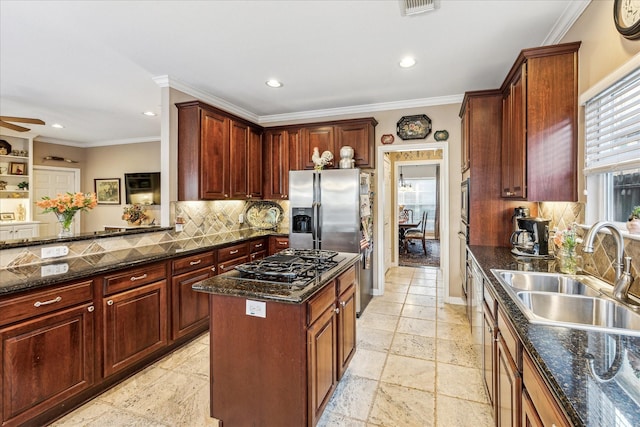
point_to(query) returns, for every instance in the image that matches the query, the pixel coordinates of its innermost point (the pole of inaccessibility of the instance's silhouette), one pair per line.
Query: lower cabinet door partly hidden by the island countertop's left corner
(190, 309)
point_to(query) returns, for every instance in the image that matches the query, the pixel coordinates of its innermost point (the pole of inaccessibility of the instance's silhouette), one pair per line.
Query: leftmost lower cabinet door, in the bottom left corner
(45, 360)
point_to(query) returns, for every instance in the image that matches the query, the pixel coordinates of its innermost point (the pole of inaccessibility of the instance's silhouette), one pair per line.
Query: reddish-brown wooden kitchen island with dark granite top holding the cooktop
(278, 352)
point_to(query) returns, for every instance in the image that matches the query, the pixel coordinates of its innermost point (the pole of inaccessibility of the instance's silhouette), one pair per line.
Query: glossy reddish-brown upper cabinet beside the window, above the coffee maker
(540, 125)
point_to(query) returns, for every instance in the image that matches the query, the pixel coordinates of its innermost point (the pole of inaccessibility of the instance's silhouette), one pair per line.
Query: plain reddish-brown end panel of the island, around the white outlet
(258, 364)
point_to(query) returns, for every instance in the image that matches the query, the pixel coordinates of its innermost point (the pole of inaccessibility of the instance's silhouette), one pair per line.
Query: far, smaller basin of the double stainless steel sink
(546, 282)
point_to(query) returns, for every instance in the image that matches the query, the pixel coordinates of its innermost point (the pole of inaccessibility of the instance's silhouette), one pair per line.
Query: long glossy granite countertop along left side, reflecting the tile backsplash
(33, 276)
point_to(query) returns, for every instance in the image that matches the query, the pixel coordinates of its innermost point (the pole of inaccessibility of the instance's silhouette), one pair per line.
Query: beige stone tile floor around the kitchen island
(415, 366)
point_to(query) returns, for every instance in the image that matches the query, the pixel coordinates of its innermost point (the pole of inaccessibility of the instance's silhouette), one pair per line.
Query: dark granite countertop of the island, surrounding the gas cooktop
(230, 284)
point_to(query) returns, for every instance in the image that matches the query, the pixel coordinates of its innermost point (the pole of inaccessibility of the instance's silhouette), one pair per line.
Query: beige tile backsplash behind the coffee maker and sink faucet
(600, 262)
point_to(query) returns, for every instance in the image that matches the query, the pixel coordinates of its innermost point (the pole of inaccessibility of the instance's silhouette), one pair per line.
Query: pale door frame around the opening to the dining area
(387, 225)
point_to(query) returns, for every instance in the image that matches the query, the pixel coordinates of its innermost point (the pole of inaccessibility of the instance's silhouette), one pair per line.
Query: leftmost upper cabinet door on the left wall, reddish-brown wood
(214, 158)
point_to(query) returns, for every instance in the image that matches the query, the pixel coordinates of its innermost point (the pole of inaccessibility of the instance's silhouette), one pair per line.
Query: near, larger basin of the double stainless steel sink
(582, 312)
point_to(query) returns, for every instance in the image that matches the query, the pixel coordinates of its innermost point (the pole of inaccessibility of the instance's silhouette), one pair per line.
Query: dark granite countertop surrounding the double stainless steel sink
(594, 375)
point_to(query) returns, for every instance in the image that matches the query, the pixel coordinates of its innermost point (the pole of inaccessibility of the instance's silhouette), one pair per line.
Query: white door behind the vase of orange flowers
(51, 181)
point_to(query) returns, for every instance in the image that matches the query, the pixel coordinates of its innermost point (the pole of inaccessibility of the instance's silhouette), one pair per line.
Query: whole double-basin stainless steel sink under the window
(574, 301)
